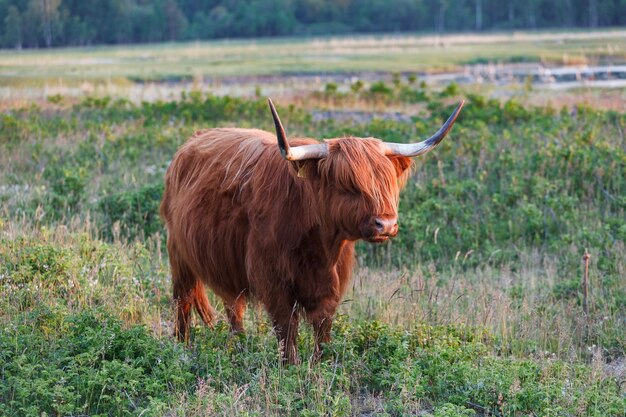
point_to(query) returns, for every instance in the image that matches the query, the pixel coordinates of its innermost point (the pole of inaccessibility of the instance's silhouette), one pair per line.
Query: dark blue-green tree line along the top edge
(49, 23)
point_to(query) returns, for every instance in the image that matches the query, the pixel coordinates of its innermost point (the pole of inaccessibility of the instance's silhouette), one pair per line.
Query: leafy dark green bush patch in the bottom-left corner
(86, 363)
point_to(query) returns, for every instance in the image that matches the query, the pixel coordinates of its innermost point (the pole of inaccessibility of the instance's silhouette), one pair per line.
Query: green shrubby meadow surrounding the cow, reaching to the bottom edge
(477, 308)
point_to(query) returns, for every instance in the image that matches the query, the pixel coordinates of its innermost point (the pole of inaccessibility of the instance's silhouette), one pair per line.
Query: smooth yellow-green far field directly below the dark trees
(391, 53)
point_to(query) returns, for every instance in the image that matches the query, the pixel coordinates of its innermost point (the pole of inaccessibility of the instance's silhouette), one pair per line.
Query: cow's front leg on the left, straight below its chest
(285, 319)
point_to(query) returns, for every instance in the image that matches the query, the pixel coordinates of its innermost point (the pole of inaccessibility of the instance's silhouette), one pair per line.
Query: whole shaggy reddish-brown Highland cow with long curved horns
(250, 219)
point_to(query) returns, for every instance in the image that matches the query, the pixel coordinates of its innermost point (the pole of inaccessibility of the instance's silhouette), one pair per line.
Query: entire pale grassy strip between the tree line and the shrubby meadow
(291, 68)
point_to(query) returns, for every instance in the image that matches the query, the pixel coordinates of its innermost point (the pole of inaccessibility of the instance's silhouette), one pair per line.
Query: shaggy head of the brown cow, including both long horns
(358, 179)
